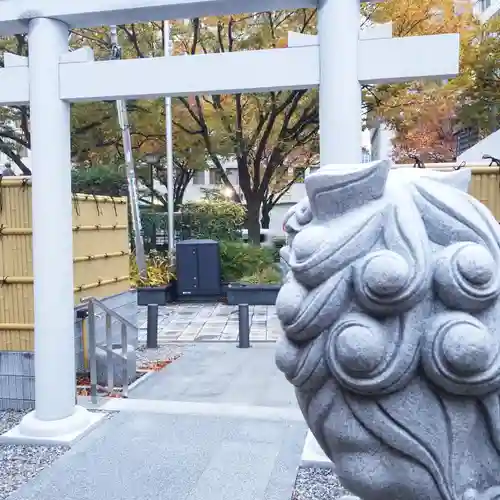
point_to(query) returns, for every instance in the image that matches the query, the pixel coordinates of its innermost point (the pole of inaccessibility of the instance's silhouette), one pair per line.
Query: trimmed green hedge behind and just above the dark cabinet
(212, 219)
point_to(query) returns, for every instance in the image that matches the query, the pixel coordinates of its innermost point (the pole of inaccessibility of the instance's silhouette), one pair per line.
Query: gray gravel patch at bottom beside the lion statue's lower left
(317, 484)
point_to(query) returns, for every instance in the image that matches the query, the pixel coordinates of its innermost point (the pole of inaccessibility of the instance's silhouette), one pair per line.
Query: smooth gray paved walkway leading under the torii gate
(220, 423)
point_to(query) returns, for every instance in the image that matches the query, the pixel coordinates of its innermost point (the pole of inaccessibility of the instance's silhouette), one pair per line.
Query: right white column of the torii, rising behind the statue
(339, 89)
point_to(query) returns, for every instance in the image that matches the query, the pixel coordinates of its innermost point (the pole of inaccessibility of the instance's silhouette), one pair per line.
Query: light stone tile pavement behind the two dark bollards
(210, 322)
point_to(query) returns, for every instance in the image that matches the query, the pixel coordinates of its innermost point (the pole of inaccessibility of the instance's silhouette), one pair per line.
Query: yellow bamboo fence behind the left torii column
(100, 249)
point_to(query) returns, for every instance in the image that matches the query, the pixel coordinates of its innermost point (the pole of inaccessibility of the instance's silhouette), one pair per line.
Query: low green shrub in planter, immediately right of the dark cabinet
(239, 259)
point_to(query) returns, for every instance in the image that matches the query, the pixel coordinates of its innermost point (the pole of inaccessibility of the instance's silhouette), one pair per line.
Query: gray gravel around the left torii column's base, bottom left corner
(18, 464)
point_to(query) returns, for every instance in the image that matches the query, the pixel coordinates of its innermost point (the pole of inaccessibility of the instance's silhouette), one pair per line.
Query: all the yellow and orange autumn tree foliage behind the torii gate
(273, 136)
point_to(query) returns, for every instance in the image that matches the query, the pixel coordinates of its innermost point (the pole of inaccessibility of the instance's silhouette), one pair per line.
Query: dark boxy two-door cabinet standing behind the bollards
(198, 269)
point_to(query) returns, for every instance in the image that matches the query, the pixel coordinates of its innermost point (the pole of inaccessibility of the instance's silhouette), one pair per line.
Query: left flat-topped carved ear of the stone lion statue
(338, 189)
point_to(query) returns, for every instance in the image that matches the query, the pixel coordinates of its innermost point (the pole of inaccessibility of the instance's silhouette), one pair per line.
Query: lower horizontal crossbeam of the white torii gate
(385, 60)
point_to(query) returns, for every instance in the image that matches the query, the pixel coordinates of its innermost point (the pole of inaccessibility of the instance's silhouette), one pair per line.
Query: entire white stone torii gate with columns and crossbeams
(53, 77)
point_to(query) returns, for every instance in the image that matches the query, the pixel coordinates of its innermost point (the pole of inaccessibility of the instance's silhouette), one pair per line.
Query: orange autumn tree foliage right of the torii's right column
(423, 115)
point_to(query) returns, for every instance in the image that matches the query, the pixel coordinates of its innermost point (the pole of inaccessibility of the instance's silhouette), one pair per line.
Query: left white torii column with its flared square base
(56, 418)
